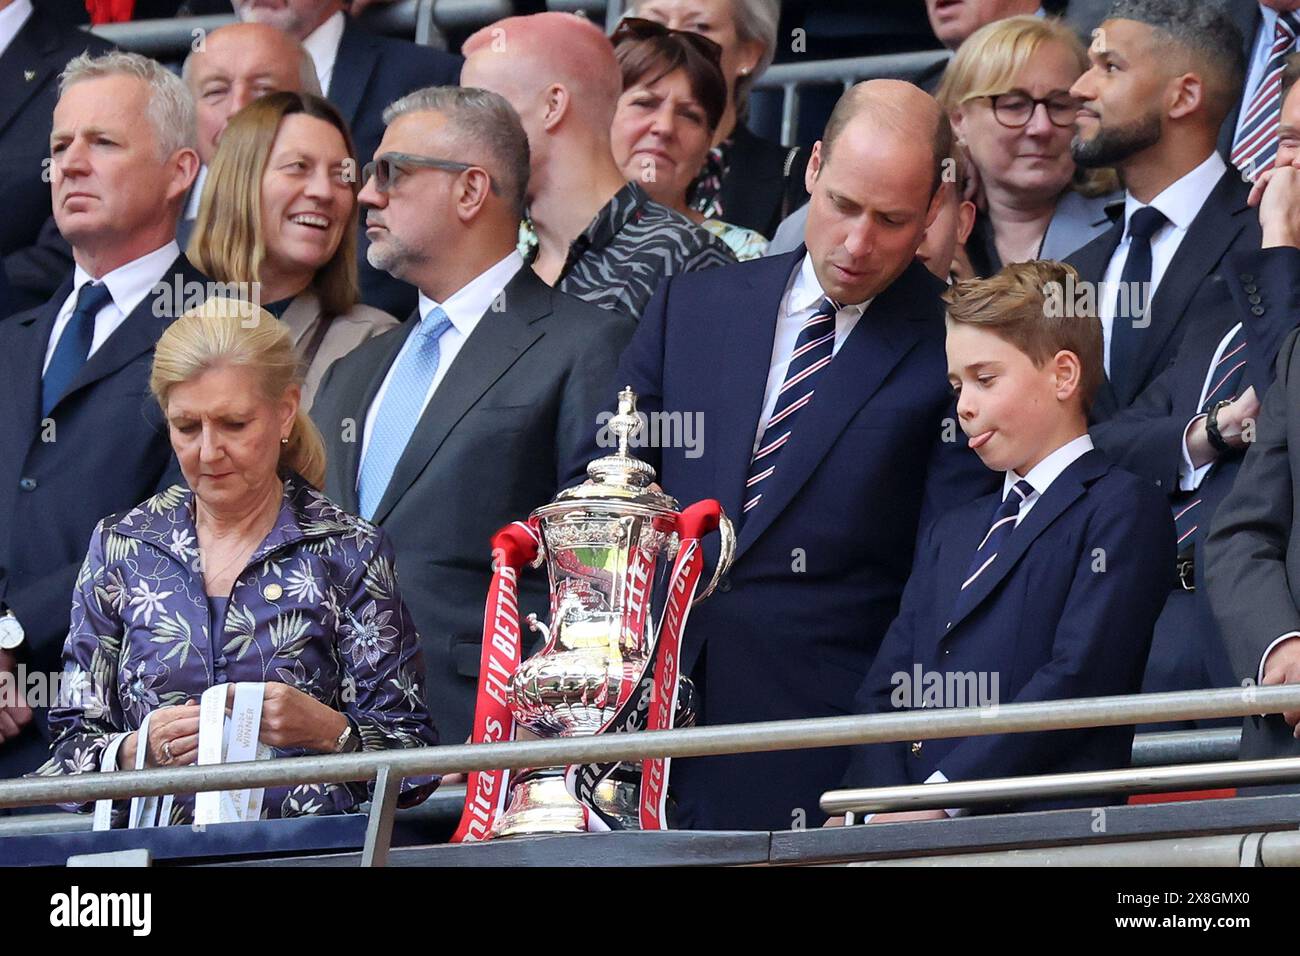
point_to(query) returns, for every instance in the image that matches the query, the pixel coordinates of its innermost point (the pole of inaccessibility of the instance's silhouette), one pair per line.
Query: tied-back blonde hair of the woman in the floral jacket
(232, 332)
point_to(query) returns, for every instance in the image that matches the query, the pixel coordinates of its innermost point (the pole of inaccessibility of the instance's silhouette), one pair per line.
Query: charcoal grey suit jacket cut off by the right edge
(1254, 551)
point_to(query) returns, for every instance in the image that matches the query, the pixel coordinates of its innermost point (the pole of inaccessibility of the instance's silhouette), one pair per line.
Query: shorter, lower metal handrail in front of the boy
(1003, 790)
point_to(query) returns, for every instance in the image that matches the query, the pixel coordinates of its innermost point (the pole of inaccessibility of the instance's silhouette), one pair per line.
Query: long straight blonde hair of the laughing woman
(228, 244)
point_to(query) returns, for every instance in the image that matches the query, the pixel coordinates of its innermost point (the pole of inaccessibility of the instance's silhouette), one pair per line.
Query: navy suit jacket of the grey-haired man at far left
(106, 451)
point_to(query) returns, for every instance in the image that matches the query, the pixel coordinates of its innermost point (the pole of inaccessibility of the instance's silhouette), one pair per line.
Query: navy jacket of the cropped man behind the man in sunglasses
(370, 73)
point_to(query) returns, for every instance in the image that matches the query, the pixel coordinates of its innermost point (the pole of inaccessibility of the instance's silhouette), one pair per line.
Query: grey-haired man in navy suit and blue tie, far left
(80, 435)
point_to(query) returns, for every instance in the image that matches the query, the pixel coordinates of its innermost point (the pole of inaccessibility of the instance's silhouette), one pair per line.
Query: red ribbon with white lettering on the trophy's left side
(514, 547)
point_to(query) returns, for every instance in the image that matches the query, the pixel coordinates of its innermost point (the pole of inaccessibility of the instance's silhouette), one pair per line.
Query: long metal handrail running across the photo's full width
(696, 742)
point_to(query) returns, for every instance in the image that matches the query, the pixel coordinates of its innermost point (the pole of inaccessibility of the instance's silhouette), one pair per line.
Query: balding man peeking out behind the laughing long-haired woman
(236, 66)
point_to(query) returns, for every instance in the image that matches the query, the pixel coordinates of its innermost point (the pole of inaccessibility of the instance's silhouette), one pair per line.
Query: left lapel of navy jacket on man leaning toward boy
(748, 347)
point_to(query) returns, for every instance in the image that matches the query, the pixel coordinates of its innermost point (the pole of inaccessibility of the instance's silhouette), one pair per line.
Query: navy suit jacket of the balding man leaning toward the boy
(822, 563)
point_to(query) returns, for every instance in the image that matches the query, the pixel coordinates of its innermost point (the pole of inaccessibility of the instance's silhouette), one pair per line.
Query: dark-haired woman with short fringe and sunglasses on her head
(674, 98)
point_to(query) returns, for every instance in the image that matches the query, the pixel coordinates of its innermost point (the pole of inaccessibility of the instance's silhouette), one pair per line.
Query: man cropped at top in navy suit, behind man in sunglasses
(361, 73)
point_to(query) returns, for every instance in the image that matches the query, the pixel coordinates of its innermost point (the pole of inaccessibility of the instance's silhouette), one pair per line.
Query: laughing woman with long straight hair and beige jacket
(280, 209)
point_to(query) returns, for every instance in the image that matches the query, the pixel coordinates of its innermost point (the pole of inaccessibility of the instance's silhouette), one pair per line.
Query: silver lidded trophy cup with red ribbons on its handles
(609, 664)
